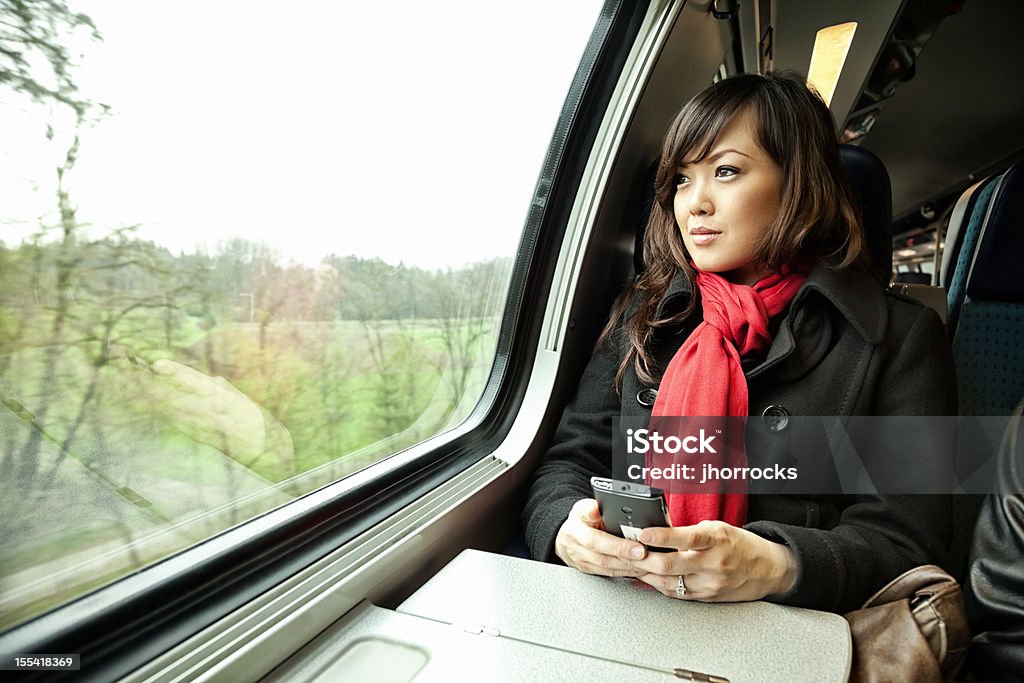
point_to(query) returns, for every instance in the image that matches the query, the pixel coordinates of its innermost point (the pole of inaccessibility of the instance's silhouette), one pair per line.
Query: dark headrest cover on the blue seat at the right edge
(996, 275)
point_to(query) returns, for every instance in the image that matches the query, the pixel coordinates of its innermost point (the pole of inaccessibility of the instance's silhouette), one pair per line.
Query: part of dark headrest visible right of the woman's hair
(870, 182)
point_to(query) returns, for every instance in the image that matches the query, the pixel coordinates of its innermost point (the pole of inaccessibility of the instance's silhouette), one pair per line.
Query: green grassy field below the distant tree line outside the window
(99, 452)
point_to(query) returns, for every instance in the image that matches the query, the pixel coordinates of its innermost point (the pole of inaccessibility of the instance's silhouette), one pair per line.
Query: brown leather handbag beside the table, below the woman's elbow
(915, 629)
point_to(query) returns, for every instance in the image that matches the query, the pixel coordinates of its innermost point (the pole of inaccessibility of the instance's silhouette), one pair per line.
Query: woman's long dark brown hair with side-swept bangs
(818, 219)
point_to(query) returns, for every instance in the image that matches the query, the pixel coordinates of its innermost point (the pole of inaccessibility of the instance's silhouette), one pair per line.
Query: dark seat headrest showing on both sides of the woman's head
(870, 182)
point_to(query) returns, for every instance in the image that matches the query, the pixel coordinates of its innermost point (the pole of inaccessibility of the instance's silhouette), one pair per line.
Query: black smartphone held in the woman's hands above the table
(628, 508)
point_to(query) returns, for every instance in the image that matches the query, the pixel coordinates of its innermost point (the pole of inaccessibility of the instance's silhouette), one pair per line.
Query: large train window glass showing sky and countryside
(247, 252)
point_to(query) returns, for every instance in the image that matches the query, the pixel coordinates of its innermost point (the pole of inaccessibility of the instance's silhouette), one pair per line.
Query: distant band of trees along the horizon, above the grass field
(243, 281)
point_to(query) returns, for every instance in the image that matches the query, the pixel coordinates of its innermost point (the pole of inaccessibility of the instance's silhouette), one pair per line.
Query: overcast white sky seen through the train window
(412, 132)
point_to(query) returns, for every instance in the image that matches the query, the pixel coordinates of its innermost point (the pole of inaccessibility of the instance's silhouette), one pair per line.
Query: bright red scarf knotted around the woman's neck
(706, 378)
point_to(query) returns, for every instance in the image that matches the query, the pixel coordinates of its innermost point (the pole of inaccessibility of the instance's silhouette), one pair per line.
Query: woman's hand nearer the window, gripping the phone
(583, 543)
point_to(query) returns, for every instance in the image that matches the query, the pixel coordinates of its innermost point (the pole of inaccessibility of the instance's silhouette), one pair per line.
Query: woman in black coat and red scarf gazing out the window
(756, 301)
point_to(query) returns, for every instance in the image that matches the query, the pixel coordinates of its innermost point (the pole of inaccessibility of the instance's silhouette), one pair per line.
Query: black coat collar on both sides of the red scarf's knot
(855, 294)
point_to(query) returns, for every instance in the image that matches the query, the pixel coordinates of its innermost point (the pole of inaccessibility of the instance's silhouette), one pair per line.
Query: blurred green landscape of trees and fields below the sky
(349, 363)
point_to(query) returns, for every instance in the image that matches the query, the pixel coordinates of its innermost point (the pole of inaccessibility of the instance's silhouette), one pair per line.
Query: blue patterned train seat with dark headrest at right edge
(989, 345)
